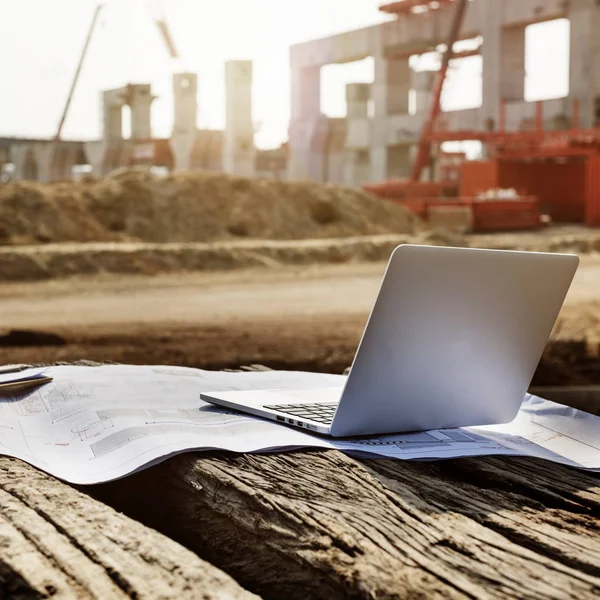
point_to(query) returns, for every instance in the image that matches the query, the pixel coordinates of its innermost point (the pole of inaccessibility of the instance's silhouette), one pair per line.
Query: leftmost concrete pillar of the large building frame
(305, 113)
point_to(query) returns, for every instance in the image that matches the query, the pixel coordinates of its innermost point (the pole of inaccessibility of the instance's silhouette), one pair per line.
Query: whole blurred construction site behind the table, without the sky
(201, 249)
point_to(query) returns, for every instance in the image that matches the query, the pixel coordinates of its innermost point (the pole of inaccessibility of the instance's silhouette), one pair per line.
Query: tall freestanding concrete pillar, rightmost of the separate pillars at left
(238, 148)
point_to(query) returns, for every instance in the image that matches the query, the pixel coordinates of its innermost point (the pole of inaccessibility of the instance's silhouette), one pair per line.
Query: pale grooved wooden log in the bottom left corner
(57, 541)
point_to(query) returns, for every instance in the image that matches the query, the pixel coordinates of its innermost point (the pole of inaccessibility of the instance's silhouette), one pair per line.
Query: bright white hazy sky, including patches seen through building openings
(41, 40)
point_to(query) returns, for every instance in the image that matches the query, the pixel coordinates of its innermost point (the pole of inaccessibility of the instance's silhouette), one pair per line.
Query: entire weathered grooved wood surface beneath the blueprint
(308, 524)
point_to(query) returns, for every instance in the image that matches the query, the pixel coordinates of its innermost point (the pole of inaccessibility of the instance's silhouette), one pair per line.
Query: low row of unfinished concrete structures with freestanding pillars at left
(188, 147)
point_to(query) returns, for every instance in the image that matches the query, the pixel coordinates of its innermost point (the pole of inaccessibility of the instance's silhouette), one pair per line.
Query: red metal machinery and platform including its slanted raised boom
(553, 172)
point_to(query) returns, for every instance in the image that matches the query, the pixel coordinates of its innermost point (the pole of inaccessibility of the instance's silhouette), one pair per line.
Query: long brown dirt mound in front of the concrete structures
(191, 207)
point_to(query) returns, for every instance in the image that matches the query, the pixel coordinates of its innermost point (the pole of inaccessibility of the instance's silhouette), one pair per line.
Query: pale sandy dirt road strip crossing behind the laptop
(208, 299)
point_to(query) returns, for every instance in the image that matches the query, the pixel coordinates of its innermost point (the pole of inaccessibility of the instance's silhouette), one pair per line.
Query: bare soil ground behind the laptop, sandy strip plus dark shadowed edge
(296, 318)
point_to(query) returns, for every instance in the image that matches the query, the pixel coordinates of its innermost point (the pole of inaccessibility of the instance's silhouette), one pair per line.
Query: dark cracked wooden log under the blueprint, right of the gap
(316, 524)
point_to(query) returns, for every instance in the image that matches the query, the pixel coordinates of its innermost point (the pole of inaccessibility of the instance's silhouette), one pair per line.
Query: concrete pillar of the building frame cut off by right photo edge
(584, 68)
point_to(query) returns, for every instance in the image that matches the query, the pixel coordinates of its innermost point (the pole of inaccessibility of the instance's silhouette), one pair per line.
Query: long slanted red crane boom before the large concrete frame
(424, 148)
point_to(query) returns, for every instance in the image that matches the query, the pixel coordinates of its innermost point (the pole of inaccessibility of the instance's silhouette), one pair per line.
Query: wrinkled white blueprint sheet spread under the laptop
(95, 424)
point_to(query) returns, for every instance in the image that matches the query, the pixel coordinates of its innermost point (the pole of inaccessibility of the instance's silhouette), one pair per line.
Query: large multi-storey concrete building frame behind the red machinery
(381, 125)
